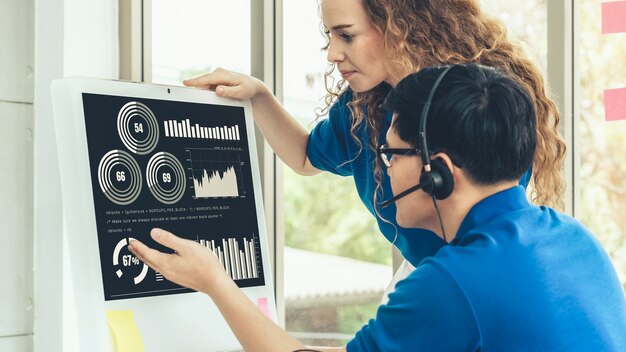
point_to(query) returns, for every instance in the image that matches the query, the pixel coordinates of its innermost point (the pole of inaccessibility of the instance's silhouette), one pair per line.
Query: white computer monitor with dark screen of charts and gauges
(137, 156)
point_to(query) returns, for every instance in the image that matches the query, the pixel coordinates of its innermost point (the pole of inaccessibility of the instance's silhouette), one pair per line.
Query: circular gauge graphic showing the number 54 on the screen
(138, 128)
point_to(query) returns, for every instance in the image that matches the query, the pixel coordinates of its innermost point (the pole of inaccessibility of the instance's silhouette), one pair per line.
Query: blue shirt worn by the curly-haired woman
(332, 148)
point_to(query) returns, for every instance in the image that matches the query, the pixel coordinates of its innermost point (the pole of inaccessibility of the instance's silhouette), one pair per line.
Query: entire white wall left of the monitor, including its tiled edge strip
(40, 40)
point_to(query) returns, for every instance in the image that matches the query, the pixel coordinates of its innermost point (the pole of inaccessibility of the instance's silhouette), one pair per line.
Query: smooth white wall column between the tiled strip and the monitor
(72, 38)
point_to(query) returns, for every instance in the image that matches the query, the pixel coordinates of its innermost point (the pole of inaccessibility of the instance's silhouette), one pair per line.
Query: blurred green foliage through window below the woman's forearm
(324, 214)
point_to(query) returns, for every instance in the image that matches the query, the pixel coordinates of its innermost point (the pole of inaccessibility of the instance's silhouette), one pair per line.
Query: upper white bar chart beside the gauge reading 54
(185, 129)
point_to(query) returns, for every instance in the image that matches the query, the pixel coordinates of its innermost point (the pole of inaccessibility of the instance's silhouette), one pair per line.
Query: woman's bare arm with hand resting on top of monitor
(284, 134)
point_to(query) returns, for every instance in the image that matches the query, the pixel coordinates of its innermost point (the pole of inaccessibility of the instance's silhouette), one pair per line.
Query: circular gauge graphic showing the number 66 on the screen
(119, 177)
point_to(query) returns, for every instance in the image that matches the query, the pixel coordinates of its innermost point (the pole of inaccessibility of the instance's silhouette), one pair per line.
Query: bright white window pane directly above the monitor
(193, 37)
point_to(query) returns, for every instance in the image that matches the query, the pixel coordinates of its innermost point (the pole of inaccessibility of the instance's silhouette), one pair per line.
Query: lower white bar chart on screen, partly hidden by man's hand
(238, 259)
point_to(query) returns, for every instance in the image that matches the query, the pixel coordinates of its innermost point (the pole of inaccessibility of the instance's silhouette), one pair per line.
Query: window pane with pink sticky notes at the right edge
(601, 178)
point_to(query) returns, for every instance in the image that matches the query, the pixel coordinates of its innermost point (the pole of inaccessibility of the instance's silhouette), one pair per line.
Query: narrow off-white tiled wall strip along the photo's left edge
(16, 174)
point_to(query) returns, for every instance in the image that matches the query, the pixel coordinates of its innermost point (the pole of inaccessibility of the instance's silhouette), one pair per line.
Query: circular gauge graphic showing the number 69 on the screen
(166, 178)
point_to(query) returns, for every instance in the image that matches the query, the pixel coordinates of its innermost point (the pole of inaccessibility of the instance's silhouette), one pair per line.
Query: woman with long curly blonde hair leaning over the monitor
(374, 44)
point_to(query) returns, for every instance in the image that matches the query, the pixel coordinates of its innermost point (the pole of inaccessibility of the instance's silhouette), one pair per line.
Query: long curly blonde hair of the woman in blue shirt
(422, 33)
